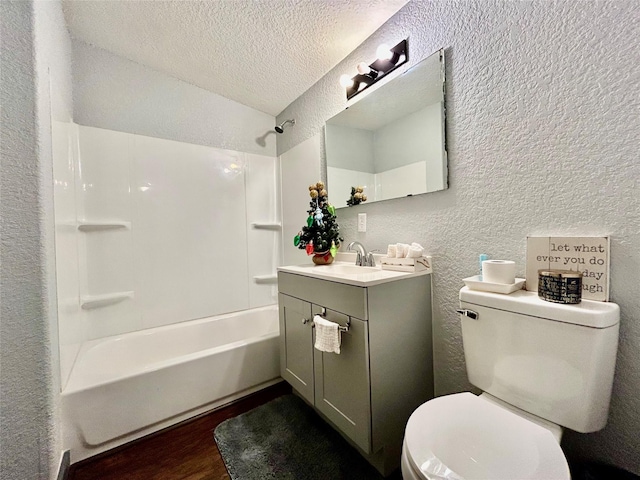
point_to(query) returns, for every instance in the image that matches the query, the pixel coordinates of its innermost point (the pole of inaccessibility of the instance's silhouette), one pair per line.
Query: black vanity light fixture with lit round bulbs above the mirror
(388, 60)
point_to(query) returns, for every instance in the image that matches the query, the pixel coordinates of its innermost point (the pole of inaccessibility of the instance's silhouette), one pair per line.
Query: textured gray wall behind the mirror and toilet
(542, 105)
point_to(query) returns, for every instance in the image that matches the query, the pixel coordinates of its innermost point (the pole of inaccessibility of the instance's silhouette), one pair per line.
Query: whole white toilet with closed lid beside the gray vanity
(542, 366)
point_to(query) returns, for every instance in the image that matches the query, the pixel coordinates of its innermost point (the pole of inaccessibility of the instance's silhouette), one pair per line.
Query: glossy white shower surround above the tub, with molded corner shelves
(179, 242)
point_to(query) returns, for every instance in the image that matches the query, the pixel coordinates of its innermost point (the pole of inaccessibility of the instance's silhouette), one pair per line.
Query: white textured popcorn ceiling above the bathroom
(263, 54)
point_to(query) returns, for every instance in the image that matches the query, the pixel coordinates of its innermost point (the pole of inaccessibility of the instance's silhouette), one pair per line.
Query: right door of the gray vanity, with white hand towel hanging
(342, 381)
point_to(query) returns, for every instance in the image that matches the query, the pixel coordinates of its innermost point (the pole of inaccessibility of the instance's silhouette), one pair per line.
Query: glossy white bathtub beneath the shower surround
(127, 386)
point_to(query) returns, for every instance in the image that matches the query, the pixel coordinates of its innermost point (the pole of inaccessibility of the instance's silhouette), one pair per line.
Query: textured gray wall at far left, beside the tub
(34, 44)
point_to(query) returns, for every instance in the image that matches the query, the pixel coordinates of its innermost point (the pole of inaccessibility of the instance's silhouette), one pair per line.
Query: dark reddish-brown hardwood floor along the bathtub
(186, 451)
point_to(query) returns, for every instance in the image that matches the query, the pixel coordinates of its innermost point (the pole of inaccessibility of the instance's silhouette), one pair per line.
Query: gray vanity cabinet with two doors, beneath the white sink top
(384, 369)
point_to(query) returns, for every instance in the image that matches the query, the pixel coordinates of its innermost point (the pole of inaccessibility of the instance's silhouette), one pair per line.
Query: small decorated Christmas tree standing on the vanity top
(321, 234)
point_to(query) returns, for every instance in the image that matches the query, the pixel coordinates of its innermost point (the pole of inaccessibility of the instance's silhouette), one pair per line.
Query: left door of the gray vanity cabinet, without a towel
(296, 347)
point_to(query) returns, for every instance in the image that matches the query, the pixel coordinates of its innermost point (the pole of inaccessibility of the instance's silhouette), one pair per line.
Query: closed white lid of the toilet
(463, 436)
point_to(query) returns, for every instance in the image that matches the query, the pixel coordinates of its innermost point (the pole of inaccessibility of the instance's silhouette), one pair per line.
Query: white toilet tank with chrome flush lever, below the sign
(554, 361)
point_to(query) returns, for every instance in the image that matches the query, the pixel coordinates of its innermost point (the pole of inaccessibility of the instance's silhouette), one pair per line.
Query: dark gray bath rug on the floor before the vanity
(286, 439)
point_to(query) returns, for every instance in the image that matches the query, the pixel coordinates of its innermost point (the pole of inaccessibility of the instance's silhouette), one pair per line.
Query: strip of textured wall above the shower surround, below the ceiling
(118, 94)
